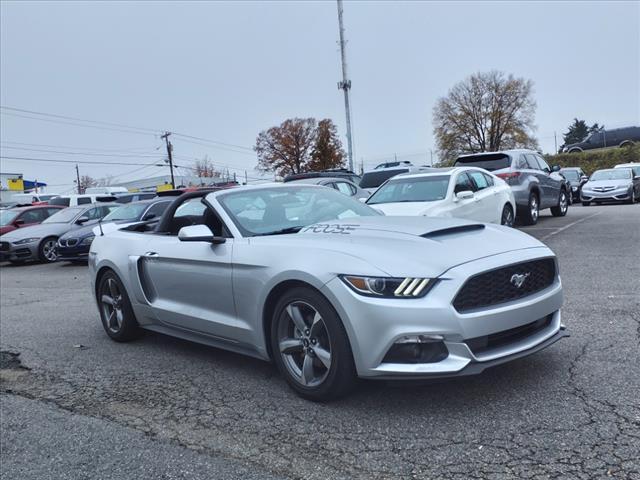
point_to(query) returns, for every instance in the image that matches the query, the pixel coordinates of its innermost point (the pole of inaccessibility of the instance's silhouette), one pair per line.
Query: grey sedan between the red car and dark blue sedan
(38, 242)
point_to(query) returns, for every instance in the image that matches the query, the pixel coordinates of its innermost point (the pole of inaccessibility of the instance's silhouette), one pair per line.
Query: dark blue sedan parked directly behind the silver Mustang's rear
(74, 245)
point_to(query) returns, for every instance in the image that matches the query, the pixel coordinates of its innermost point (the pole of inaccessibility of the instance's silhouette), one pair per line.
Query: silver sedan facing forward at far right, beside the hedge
(611, 185)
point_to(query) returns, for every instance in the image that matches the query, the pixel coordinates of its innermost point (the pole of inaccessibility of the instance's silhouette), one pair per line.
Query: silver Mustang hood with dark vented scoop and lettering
(408, 246)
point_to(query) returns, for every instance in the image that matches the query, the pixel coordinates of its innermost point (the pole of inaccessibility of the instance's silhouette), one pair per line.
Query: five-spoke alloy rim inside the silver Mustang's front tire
(304, 343)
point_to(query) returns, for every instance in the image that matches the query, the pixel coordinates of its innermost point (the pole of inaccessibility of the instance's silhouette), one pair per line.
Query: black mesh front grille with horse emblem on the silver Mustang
(499, 286)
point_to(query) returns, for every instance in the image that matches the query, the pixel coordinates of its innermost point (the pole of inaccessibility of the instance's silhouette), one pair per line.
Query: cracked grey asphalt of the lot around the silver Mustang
(76, 405)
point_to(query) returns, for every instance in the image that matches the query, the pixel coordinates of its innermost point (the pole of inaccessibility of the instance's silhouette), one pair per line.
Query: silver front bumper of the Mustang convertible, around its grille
(374, 325)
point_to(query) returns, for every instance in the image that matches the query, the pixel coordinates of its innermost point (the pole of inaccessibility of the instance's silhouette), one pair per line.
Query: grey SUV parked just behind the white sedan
(534, 184)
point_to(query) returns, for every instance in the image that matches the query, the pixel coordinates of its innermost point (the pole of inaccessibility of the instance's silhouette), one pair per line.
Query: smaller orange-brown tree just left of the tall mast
(287, 148)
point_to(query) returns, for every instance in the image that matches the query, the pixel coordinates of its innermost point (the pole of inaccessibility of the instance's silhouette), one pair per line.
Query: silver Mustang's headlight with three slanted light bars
(389, 287)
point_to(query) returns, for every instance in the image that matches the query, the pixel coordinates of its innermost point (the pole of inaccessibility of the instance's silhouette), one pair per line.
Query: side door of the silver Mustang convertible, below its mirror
(189, 284)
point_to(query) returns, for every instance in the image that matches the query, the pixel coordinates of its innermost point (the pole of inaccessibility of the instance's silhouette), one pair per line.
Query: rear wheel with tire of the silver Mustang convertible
(116, 312)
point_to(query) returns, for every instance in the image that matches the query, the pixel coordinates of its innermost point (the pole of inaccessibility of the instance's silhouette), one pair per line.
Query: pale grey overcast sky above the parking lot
(226, 70)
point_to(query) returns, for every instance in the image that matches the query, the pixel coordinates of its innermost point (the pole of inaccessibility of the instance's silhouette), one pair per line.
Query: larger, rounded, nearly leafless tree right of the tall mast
(486, 112)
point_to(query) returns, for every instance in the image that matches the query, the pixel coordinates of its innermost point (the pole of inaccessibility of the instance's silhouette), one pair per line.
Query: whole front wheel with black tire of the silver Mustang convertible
(310, 346)
